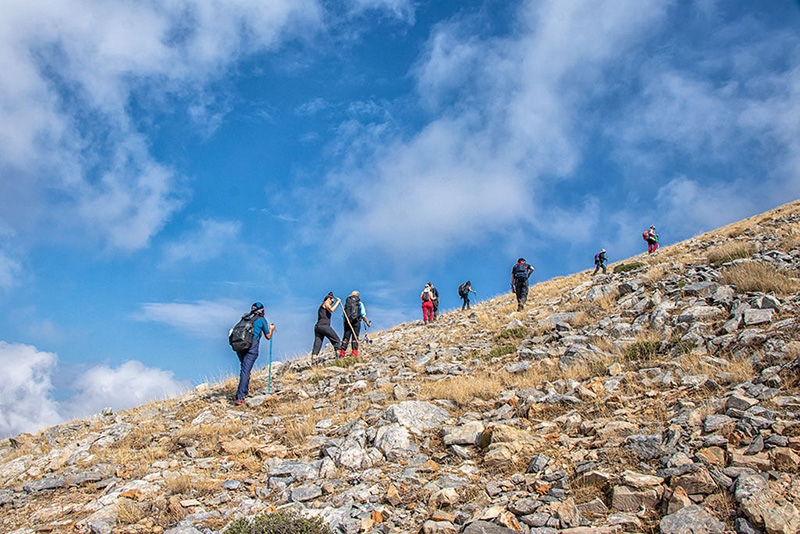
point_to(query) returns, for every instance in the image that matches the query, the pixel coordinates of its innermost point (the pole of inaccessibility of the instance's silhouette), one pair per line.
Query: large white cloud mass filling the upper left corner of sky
(70, 148)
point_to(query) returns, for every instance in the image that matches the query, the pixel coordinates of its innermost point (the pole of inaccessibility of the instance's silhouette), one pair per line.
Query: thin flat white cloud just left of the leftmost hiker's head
(202, 318)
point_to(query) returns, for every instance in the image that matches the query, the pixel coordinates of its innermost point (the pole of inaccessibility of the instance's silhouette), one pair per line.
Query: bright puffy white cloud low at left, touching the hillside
(27, 403)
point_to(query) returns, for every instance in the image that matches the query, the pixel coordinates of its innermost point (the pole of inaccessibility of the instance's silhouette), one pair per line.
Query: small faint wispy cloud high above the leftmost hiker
(212, 239)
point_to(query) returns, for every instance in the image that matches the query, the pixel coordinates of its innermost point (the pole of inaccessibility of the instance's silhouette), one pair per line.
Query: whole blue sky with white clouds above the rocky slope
(165, 164)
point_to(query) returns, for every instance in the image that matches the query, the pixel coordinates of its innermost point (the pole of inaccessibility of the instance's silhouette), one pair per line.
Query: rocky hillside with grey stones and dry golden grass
(662, 397)
